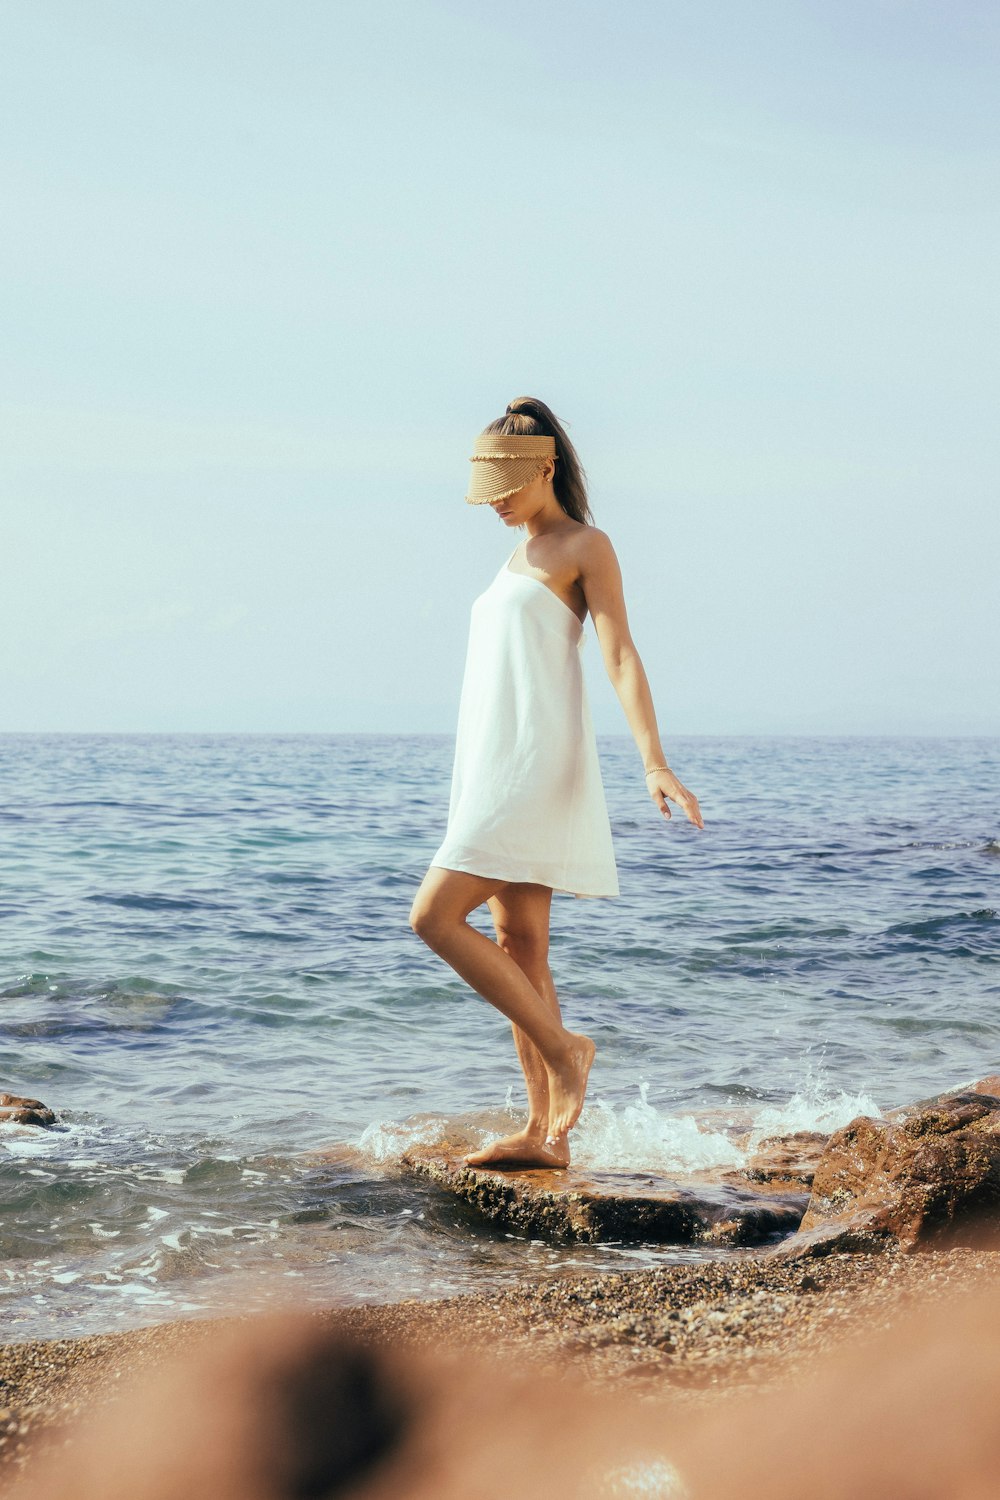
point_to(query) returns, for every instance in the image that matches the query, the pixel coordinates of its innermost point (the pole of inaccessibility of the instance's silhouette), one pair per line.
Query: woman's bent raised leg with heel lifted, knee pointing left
(439, 916)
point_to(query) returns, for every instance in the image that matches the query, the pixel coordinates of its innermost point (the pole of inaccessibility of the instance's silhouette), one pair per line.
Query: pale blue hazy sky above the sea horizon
(268, 268)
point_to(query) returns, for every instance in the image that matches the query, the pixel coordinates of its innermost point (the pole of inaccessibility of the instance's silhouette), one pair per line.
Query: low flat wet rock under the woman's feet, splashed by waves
(600, 1207)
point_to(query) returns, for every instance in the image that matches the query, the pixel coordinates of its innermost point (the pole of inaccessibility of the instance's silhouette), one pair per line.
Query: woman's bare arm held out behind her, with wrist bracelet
(602, 583)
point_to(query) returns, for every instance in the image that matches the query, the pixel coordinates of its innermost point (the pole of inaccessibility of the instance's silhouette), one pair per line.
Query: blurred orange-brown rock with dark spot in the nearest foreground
(293, 1408)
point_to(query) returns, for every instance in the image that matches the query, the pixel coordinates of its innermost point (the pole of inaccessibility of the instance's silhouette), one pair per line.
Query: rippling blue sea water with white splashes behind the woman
(208, 971)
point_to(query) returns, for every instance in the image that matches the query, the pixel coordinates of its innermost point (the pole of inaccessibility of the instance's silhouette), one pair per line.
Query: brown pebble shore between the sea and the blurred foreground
(686, 1333)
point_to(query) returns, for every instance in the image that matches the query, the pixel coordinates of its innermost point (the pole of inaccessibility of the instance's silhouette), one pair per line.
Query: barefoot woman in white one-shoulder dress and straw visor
(528, 814)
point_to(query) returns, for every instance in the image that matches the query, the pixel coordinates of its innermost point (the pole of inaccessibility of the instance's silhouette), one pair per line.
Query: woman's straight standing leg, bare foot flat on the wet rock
(521, 919)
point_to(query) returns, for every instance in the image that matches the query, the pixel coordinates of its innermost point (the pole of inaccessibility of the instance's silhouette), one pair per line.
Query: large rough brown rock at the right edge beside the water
(923, 1177)
